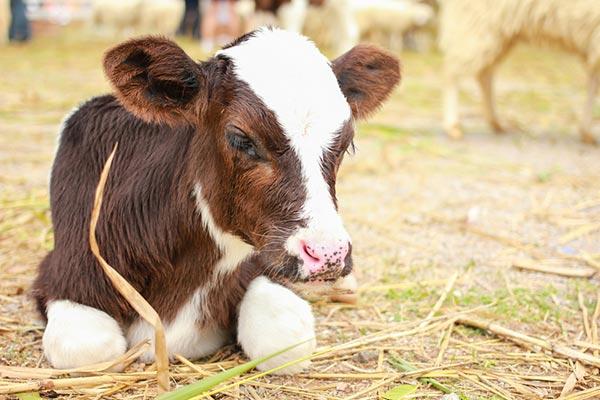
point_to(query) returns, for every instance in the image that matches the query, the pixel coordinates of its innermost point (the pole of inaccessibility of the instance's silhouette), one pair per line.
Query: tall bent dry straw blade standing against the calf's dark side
(139, 304)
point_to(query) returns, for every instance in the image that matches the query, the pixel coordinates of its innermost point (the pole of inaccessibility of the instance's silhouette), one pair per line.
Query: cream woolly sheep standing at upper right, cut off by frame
(476, 35)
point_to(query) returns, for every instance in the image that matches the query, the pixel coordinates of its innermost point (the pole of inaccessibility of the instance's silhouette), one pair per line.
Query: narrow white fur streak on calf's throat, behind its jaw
(233, 249)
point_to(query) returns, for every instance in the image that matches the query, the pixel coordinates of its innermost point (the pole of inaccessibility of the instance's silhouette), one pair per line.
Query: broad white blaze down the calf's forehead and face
(295, 81)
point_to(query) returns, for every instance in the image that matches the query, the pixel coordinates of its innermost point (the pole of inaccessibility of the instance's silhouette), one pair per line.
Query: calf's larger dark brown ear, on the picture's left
(154, 79)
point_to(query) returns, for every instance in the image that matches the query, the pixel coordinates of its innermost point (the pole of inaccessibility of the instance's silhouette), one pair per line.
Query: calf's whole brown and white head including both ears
(273, 119)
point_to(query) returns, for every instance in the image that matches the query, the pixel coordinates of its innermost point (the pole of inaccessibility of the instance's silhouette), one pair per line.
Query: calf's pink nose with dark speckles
(318, 257)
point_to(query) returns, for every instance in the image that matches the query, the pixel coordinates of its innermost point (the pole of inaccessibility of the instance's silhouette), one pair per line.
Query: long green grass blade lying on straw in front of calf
(210, 382)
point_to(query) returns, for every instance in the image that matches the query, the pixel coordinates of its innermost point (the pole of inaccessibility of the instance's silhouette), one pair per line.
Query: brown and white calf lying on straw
(223, 184)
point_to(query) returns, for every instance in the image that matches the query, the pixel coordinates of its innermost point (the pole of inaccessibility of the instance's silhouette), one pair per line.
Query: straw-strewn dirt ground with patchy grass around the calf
(421, 209)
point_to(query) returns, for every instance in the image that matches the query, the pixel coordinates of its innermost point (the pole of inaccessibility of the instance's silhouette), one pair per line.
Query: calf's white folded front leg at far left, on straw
(78, 335)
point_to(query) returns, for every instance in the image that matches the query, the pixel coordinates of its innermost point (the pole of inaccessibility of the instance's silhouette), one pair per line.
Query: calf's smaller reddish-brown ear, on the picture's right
(367, 75)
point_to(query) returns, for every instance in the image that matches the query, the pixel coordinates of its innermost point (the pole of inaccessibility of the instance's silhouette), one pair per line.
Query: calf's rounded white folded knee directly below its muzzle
(272, 318)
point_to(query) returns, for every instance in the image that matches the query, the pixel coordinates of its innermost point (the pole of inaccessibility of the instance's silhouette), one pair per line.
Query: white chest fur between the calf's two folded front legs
(184, 335)
